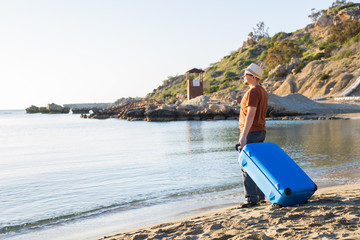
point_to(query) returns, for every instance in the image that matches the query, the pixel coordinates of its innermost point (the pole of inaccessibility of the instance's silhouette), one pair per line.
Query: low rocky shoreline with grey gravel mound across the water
(290, 107)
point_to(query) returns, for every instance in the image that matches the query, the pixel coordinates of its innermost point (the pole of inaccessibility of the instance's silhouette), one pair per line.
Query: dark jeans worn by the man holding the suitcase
(251, 190)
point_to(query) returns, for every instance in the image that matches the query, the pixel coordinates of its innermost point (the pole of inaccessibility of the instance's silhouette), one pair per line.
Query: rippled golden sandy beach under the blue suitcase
(332, 213)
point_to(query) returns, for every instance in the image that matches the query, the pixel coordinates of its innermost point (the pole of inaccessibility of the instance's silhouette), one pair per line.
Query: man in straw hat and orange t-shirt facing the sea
(252, 126)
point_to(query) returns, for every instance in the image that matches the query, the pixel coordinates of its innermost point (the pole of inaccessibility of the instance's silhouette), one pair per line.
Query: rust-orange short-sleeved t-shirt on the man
(254, 97)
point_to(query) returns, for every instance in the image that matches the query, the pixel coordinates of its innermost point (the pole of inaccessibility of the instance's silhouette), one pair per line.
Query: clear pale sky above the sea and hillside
(86, 51)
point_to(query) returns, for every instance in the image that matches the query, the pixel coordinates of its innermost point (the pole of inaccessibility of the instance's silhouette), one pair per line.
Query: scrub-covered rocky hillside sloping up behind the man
(322, 59)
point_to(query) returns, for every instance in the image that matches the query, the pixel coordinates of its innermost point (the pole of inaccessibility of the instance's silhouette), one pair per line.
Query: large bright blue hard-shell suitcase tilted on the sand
(281, 180)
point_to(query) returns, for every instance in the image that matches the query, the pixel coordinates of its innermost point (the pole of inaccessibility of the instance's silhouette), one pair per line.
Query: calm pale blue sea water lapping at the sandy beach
(62, 176)
